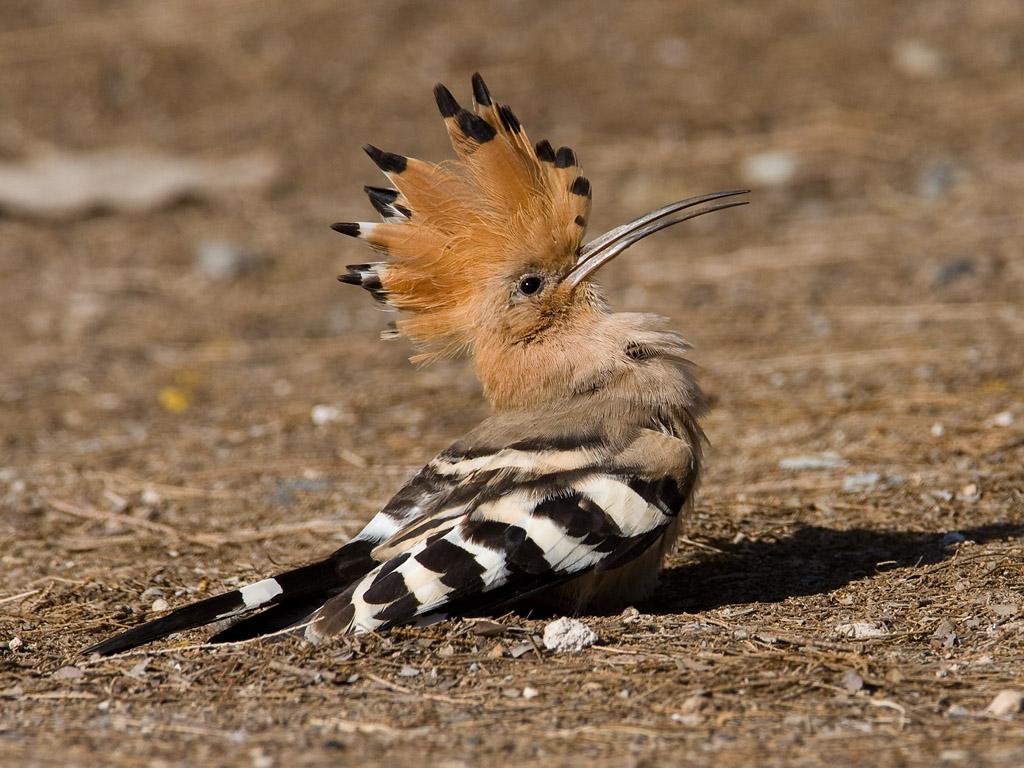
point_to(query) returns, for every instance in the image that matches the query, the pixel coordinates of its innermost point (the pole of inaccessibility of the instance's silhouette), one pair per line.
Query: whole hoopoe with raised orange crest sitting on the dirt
(573, 492)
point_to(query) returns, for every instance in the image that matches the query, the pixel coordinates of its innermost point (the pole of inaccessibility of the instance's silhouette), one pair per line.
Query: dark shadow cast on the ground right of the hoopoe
(813, 561)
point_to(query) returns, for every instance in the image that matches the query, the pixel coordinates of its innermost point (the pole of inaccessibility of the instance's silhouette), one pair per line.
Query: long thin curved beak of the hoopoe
(602, 250)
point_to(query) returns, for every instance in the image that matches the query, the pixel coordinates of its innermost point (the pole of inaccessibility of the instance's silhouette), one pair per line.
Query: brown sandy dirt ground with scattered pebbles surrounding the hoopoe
(850, 589)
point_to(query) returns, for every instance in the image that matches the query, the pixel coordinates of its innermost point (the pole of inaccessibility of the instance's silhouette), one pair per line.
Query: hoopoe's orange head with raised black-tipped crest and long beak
(486, 253)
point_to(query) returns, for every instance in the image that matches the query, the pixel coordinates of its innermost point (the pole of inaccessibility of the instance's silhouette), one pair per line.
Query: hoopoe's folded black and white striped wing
(518, 526)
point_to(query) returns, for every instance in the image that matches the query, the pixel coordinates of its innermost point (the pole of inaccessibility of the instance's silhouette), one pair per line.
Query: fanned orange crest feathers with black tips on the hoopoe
(502, 206)
